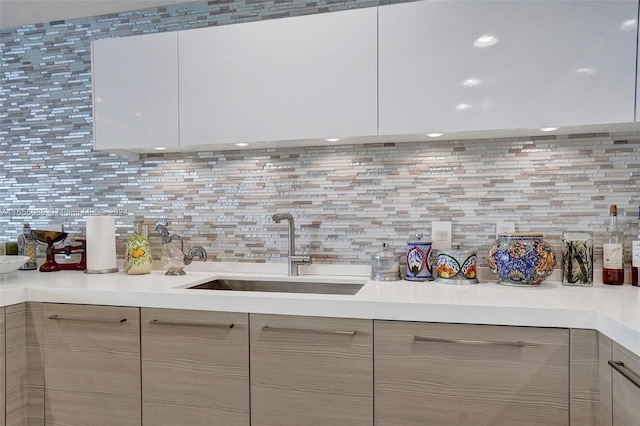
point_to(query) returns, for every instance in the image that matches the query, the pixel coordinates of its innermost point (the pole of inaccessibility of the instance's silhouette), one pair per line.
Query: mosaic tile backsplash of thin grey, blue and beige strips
(346, 200)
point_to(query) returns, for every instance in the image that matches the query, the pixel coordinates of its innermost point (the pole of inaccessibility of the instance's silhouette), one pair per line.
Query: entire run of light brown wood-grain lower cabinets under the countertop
(110, 365)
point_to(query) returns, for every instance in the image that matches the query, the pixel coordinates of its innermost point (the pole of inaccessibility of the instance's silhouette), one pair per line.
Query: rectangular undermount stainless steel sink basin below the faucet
(280, 286)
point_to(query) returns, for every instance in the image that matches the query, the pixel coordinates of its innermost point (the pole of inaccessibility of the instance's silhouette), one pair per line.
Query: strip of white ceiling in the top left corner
(14, 13)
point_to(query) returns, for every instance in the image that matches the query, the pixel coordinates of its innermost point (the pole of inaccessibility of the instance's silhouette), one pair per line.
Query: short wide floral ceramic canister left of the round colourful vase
(456, 266)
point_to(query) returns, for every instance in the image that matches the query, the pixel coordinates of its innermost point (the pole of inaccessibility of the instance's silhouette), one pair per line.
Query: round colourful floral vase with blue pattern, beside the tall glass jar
(521, 259)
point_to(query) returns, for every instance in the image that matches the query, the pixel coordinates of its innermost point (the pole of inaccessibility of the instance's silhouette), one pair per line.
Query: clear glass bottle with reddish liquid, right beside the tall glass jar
(613, 251)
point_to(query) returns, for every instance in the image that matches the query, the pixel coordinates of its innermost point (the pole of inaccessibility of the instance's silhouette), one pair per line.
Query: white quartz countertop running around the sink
(612, 310)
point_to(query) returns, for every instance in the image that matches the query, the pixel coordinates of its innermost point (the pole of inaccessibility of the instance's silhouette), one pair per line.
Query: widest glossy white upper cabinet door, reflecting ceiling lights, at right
(479, 65)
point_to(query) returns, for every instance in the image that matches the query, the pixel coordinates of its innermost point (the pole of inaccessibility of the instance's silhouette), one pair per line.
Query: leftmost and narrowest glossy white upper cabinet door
(135, 92)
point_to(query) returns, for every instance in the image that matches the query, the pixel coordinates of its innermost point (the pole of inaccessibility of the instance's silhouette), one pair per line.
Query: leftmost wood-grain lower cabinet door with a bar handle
(92, 365)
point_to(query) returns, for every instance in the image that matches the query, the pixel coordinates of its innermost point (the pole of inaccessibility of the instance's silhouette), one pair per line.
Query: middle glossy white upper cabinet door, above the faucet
(284, 79)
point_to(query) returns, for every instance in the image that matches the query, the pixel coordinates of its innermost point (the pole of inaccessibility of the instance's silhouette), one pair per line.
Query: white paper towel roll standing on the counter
(101, 245)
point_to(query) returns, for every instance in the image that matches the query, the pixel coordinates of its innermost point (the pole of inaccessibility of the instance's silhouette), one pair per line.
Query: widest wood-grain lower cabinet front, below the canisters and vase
(454, 374)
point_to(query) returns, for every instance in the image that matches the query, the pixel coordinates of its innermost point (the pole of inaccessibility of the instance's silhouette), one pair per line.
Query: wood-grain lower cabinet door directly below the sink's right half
(308, 371)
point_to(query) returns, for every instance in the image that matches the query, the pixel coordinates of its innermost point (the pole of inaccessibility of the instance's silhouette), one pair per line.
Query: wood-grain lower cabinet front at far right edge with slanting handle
(625, 387)
